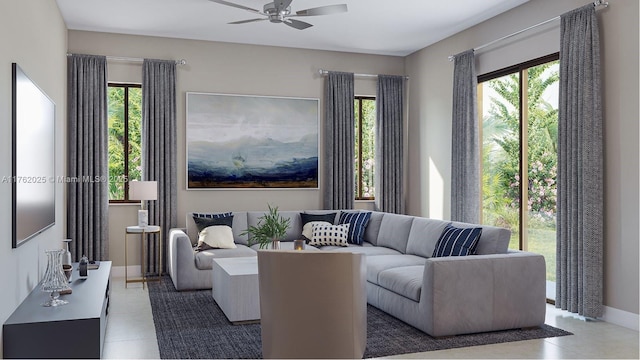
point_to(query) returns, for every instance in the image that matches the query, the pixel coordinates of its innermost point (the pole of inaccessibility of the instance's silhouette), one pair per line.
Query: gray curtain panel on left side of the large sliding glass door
(465, 142)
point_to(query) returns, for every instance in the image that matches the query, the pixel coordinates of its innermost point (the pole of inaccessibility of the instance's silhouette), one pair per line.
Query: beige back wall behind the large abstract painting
(229, 69)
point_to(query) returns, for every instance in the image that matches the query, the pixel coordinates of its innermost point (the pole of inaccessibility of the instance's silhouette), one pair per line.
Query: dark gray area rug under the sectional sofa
(190, 325)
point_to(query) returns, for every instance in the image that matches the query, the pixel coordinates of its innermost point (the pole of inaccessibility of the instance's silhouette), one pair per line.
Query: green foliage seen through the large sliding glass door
(501, 146)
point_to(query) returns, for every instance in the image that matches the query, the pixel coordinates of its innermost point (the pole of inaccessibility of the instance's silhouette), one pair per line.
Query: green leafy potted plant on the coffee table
(270, 229)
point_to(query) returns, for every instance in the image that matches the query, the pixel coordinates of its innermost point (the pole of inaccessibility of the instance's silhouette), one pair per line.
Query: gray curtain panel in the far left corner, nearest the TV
(87, 151)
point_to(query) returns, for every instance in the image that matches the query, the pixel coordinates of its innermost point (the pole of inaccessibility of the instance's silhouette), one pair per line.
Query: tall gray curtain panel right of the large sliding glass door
(580, 167)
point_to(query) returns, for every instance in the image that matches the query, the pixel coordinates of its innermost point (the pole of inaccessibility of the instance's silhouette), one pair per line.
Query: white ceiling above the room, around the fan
(391, 27)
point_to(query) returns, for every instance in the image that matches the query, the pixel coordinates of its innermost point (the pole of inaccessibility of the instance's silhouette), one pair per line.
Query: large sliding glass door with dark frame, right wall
(518, 108)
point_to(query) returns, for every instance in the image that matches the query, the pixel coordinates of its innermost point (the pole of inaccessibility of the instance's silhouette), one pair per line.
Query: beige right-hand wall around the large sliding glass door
(430, 122)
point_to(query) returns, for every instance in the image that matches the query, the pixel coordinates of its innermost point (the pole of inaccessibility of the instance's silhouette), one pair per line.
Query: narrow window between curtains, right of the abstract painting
(364, 166)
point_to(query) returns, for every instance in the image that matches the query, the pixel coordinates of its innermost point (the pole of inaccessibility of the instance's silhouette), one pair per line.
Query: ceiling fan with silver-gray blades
(279, 11)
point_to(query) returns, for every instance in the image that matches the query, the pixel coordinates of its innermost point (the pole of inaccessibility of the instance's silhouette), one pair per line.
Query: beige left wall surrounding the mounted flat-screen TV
(33, 35)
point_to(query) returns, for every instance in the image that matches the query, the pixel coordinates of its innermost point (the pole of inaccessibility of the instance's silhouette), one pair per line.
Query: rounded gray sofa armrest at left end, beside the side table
(181, 257)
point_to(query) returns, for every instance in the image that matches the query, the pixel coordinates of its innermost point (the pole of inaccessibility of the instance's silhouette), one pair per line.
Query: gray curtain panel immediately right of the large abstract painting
(339, 141)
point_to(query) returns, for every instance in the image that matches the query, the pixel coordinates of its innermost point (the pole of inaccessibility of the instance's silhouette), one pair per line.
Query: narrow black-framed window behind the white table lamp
(125, 125)
